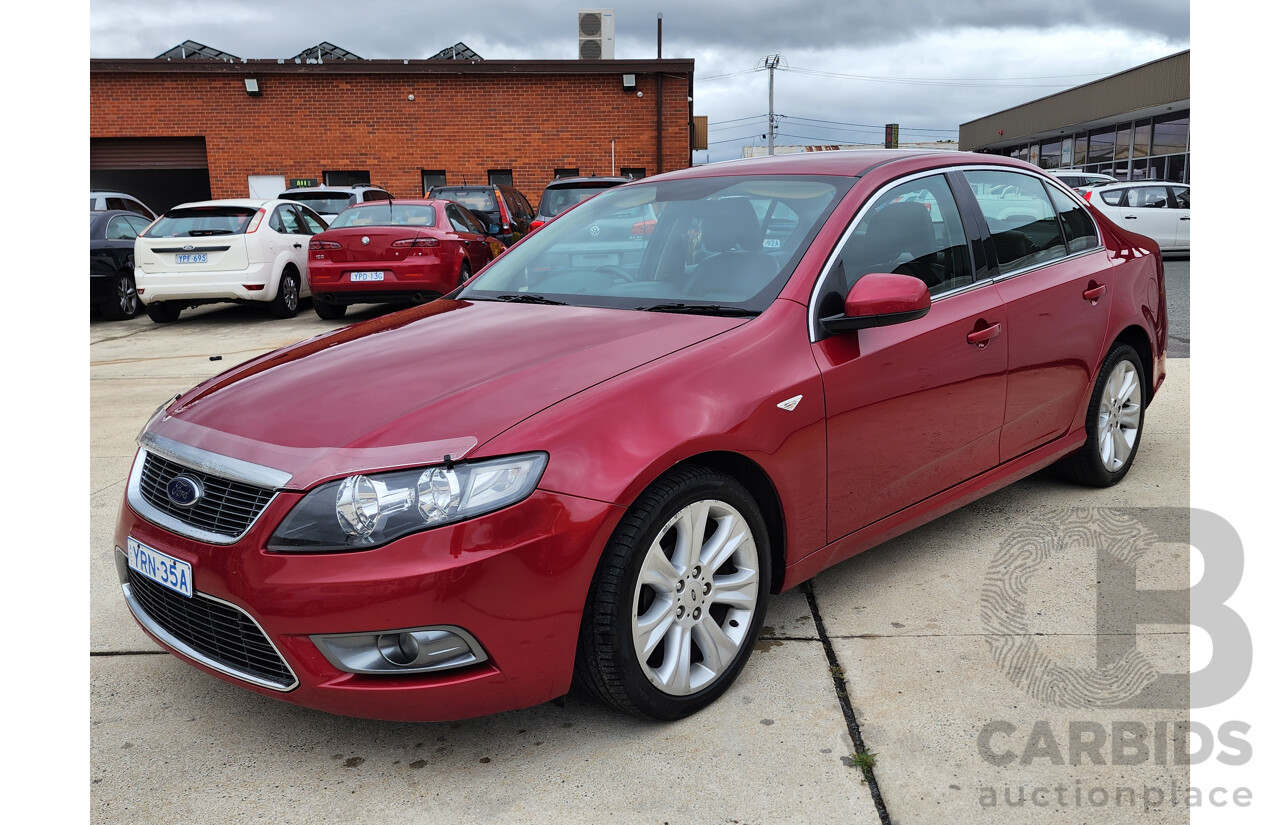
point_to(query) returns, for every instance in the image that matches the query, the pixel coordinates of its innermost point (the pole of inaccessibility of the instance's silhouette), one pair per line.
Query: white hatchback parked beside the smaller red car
(226, 251)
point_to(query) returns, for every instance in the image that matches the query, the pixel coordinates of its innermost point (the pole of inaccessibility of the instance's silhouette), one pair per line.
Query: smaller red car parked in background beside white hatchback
(396, 251)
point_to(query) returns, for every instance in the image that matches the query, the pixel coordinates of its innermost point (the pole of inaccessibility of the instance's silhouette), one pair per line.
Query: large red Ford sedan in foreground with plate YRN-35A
(601, 456)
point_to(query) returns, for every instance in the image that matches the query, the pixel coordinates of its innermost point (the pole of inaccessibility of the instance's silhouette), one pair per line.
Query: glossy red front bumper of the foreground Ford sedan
(515, 580)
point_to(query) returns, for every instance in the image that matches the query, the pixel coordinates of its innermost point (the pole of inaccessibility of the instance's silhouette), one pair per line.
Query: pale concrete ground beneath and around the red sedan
(981, 693)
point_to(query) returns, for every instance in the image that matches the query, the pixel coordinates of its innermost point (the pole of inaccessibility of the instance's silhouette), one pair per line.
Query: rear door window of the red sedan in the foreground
(1022, 221)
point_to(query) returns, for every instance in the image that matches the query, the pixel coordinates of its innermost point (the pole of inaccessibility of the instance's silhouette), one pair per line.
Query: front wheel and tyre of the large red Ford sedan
(679, 598)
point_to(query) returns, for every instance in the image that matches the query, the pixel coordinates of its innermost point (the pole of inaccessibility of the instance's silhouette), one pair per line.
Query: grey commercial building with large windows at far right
(1135, 126)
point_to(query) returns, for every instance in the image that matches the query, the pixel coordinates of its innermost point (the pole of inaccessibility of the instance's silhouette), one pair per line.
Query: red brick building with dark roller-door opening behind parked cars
(173, 131)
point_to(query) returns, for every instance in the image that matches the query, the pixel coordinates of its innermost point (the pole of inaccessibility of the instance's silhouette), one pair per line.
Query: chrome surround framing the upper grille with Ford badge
(204, 461)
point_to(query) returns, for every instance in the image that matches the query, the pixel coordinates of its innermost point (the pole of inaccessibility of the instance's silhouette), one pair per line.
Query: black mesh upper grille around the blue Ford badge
(227, 508)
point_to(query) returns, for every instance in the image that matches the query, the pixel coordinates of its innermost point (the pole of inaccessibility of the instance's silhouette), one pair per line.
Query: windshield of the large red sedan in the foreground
(721, 245)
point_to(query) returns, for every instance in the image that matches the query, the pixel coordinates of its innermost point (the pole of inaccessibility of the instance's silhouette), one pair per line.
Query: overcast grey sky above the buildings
(852, 66)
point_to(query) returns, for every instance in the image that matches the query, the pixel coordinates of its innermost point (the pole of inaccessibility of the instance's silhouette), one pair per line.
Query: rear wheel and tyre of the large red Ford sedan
(1114, 423)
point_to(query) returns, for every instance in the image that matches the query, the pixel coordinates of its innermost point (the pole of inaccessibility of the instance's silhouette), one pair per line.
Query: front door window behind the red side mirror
(911, 230)
